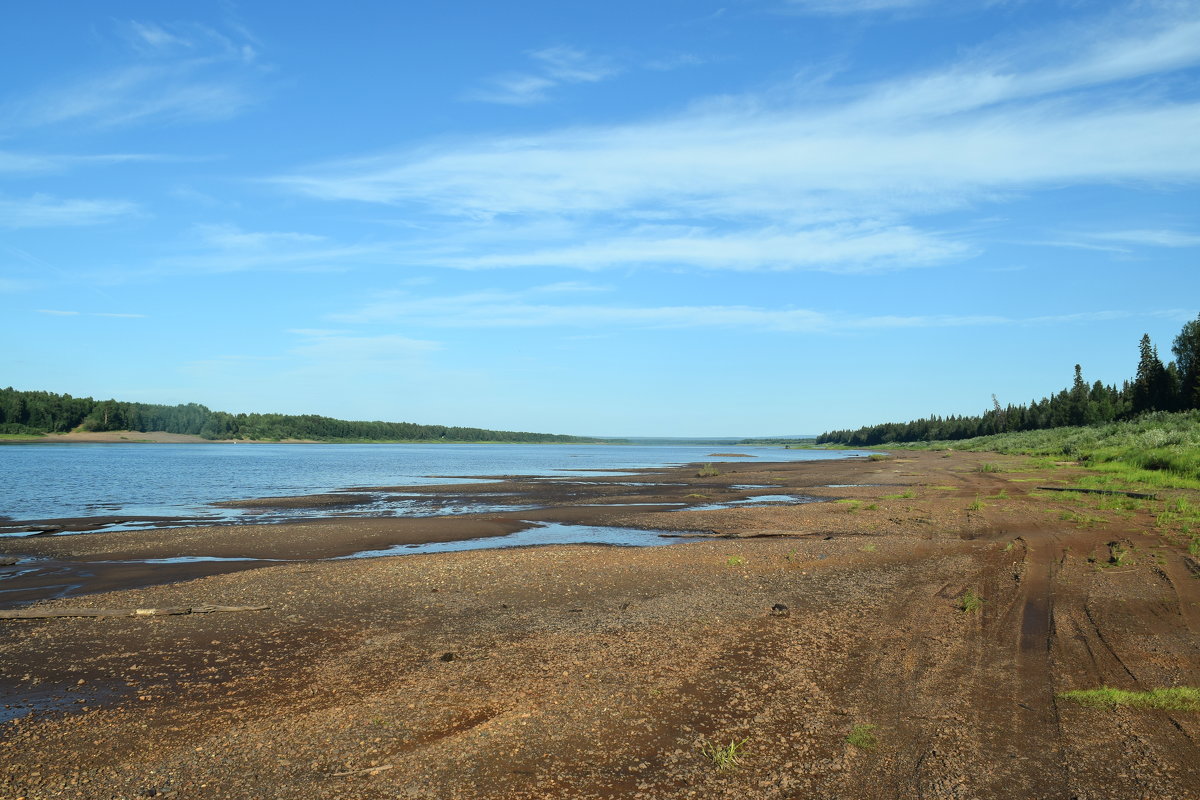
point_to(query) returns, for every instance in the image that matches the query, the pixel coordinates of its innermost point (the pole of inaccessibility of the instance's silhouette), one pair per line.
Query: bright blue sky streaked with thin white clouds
(664, 218)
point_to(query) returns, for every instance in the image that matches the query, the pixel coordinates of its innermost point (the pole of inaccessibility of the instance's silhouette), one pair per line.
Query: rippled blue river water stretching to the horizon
(105, 480)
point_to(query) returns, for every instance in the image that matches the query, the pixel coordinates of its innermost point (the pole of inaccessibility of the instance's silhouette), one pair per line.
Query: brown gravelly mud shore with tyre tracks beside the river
(604, 672)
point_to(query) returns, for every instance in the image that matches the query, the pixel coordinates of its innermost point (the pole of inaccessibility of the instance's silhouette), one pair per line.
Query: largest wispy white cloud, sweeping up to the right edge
(824, 179)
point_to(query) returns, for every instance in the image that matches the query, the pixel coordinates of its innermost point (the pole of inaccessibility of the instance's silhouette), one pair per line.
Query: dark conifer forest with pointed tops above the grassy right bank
(1174, 387)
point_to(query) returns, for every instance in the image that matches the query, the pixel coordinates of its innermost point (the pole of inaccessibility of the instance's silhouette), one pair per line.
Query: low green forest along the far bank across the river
(35, 413)
